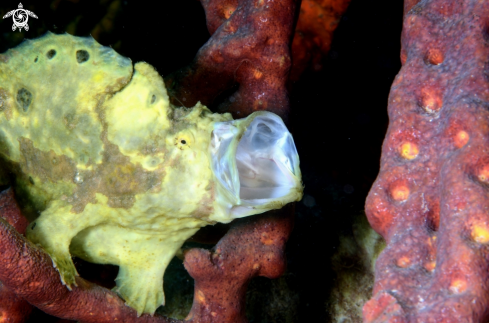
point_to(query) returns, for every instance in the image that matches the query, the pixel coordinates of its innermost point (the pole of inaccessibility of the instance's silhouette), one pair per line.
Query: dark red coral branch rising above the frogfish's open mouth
(250, 46)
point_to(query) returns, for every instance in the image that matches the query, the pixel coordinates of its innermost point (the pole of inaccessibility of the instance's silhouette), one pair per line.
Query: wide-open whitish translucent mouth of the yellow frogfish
(255, 164)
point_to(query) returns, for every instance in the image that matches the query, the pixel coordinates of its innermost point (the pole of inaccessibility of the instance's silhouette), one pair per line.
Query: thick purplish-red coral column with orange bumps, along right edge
(430, 199)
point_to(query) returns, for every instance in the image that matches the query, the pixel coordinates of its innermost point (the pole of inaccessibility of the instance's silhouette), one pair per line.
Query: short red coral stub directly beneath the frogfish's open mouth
(253, 247)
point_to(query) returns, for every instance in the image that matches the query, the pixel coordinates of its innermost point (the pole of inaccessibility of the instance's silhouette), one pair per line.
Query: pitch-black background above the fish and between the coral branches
(338, 119)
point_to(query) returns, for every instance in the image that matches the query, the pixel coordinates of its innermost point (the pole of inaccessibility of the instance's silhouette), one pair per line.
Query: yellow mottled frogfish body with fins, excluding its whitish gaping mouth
(117, 174)
